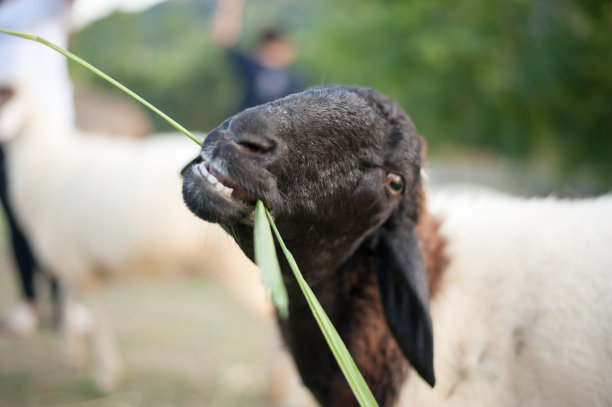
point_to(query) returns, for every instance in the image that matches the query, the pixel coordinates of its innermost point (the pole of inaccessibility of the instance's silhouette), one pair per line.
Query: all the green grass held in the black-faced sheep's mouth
(265, 252)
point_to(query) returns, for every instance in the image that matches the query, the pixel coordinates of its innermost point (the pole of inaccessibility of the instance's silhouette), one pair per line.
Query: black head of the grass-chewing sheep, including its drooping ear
(339, 169)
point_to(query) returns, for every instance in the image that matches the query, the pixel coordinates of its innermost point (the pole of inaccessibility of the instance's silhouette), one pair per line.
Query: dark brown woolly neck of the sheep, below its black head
(352, 302)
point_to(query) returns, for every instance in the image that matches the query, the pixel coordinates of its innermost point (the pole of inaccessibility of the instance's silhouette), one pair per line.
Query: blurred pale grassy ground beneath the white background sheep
(184, 341)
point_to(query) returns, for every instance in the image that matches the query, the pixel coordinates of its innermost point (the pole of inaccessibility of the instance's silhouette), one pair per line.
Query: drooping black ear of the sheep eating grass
(404, 289)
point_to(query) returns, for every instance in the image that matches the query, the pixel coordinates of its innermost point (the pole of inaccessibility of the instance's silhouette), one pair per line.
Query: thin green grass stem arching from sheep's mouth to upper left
(103, 76)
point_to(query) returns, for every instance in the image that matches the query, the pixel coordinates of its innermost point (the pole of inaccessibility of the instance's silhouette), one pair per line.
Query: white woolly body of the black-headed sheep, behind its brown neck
(523, 315)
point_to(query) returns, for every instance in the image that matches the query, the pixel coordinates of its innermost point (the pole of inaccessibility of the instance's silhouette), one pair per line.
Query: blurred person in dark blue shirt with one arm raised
(264, 73)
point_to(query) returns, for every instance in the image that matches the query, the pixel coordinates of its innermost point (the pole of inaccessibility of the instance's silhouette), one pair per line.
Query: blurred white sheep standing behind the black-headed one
(99, 208)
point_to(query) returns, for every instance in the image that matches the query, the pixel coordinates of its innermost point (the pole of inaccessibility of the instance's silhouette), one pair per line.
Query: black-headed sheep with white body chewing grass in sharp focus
(454, 300)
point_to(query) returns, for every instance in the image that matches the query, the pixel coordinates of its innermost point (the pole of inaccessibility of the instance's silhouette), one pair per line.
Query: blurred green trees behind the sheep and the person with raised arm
(527, 79)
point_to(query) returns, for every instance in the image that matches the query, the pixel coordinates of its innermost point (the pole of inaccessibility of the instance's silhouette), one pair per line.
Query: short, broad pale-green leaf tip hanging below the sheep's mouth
(265, 257)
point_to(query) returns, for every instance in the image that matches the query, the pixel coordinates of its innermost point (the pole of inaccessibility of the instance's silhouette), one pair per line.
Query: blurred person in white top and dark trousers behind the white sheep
(45, 73)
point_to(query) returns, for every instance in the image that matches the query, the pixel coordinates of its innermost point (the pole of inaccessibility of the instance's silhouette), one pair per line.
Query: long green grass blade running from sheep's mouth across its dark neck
(347, 365)
